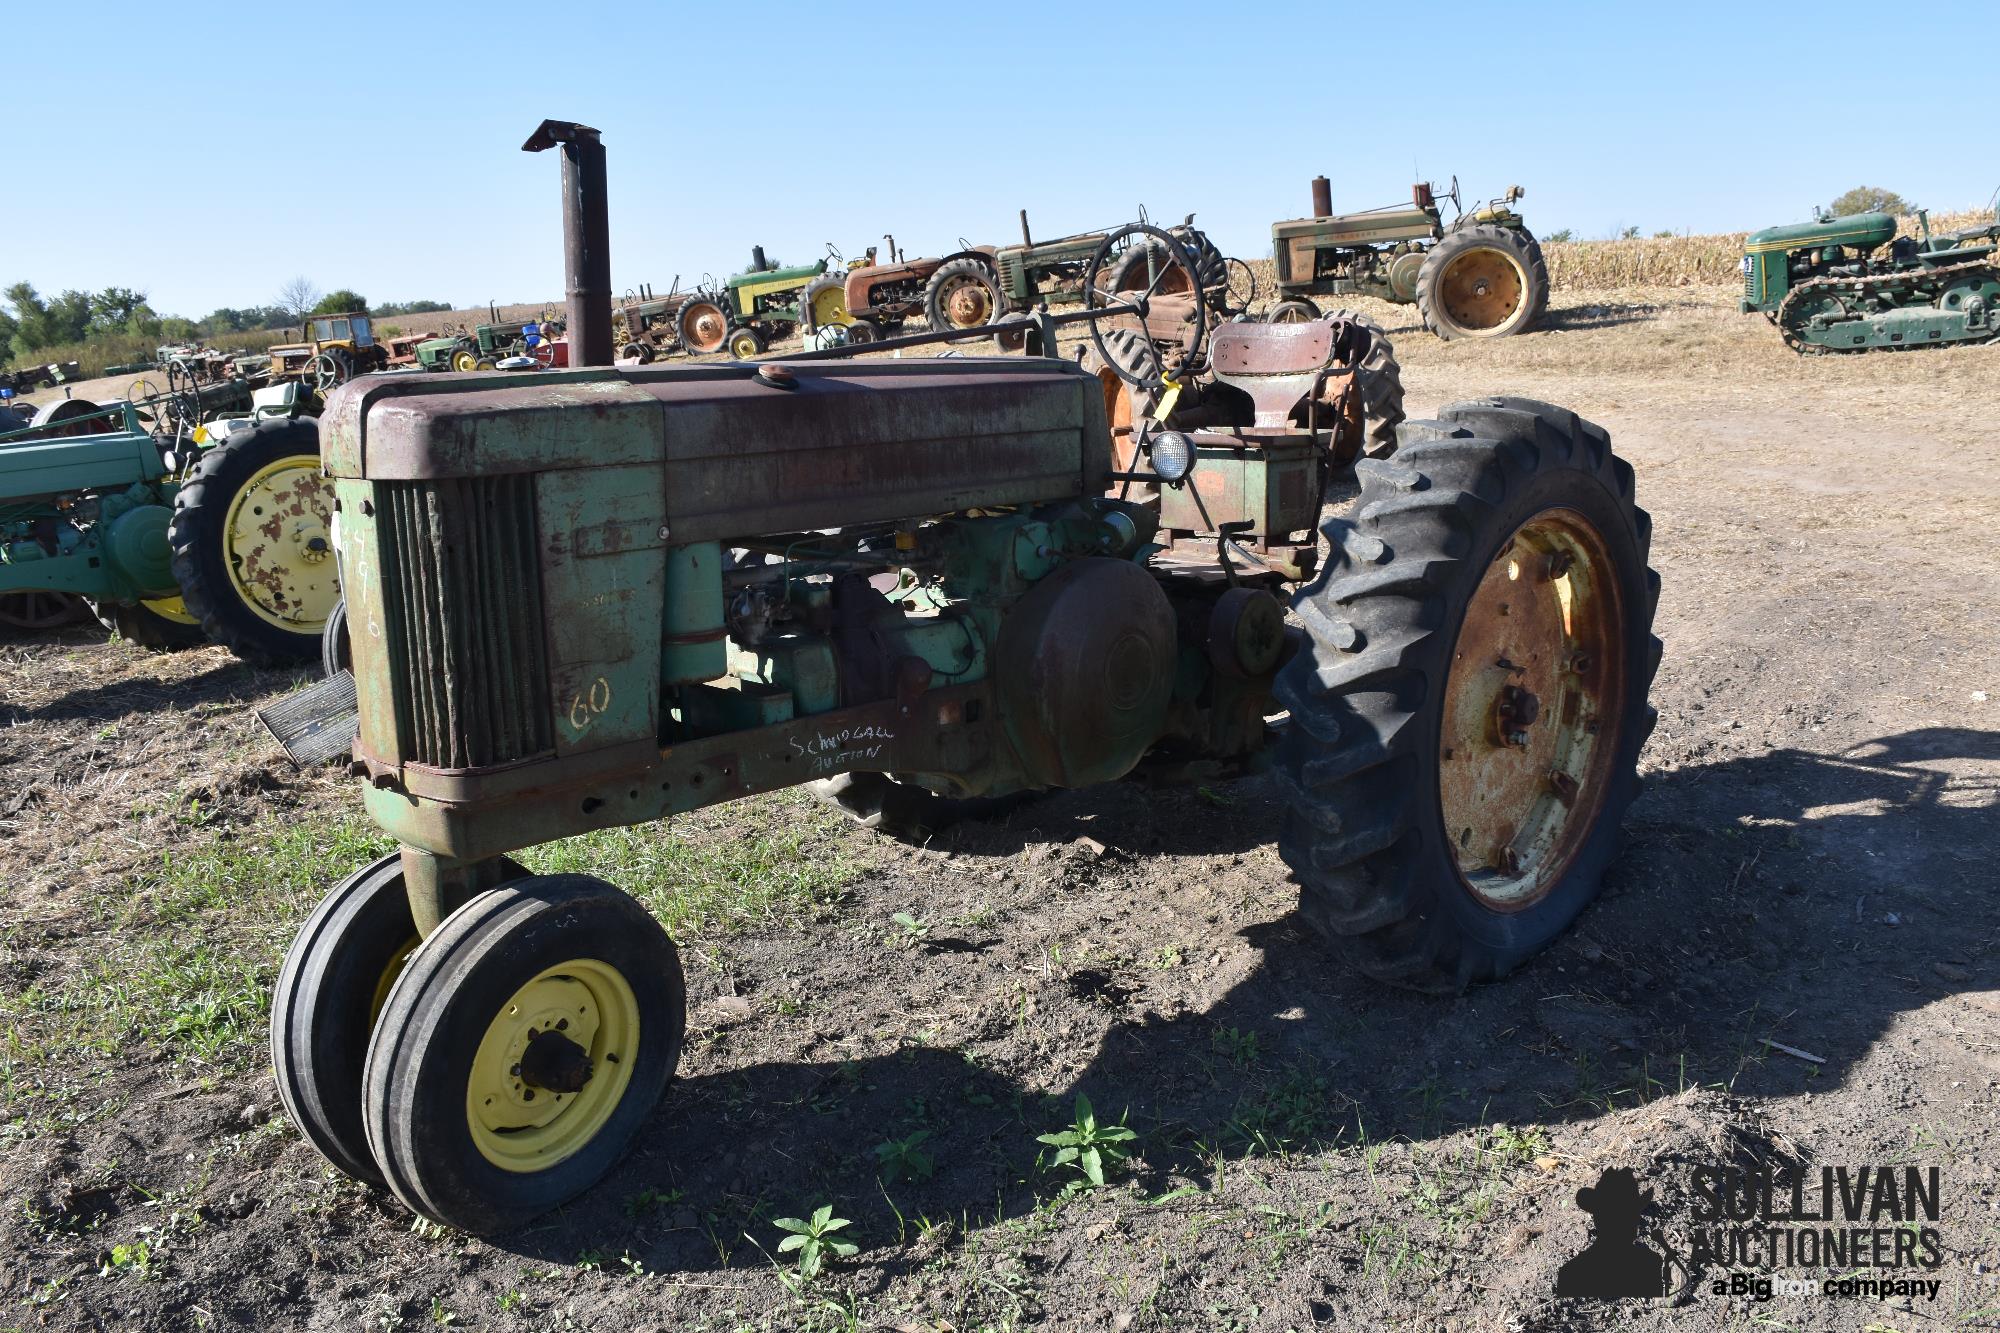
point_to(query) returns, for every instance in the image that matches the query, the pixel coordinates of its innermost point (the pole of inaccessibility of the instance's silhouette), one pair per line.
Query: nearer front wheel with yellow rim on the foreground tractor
(521, 1050)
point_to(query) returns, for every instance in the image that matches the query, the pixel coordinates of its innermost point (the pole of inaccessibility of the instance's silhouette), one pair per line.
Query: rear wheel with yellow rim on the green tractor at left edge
(253, 549)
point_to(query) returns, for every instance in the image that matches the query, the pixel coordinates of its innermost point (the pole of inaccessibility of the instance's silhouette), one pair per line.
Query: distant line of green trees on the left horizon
(33, 323)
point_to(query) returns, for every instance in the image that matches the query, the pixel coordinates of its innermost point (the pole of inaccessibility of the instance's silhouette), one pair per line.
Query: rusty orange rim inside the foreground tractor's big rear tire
(1533, 706)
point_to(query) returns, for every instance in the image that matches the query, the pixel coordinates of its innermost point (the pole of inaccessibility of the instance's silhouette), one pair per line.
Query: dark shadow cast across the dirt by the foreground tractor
(1747, 886)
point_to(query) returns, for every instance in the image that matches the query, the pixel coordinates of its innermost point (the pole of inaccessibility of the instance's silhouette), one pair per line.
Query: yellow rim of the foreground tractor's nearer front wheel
(579, 1016)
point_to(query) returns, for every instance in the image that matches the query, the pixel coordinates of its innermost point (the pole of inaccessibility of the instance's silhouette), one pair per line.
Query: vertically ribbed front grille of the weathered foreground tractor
(463, 591)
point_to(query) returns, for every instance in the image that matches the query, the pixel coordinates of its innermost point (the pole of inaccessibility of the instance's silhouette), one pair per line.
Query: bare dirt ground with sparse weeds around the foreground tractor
(1813, 864)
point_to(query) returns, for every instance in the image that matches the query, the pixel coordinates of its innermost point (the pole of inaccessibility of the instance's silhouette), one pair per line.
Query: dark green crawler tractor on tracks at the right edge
(1853, 285)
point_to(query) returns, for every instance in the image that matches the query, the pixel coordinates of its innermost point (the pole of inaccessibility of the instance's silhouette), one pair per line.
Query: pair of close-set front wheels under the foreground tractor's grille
(493, 1070)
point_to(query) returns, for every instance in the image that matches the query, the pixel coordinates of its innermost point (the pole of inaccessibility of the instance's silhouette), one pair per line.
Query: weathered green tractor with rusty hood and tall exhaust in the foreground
(603, 597)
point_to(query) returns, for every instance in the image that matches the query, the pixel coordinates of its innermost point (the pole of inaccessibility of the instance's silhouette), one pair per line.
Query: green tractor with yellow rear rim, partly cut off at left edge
(175, 533)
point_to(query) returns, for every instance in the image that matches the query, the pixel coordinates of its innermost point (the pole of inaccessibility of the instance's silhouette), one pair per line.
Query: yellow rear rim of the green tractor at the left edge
(279, 547)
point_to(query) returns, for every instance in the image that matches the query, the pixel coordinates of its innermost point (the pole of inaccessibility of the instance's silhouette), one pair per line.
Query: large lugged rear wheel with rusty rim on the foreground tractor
(1471, 700)
